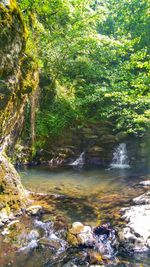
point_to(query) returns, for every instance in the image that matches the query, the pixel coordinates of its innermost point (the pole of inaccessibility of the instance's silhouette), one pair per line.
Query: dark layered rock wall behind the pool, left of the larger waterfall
(97, 141)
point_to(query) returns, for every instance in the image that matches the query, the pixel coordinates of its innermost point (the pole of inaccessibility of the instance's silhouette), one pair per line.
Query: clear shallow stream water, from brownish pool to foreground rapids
(91, 196)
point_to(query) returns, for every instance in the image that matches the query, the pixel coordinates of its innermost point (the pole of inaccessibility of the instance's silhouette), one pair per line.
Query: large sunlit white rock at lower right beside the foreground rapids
(135, 235)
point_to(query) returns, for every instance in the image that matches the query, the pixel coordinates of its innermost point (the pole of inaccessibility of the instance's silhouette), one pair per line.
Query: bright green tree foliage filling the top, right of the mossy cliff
(98, 52)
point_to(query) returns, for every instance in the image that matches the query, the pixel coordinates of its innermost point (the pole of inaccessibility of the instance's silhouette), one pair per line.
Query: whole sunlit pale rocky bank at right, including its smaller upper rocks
(135, 236)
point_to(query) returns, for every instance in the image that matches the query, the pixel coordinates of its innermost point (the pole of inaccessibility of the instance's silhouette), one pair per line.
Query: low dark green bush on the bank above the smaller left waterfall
(52, 121)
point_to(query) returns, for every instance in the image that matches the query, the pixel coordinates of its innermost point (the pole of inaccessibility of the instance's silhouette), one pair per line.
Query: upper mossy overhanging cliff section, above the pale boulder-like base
(18, 72)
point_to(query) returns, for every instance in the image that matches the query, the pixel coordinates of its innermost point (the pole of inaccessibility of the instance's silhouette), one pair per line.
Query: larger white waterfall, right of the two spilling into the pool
(120, 157)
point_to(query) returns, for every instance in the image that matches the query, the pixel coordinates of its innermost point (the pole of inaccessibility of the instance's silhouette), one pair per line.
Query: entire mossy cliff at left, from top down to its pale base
(18, 78)
